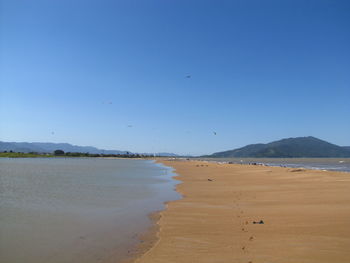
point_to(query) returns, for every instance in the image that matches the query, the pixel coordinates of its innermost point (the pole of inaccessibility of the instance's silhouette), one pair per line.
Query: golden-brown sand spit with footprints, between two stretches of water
(306, 216)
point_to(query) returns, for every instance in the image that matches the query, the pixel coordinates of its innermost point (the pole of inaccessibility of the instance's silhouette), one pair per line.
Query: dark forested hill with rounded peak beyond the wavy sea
(288, 148)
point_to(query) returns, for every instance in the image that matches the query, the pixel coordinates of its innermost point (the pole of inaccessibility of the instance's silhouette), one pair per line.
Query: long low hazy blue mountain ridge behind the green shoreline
(45, 147)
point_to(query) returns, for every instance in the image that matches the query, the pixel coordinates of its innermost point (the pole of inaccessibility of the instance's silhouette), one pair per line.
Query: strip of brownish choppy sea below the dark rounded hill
(331, 164)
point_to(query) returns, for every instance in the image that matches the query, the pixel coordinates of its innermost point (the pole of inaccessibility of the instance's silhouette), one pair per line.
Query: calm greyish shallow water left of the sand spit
(77, 210)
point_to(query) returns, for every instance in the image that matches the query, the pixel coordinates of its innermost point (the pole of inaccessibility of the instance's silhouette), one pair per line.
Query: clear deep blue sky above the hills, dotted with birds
(112, 74)
